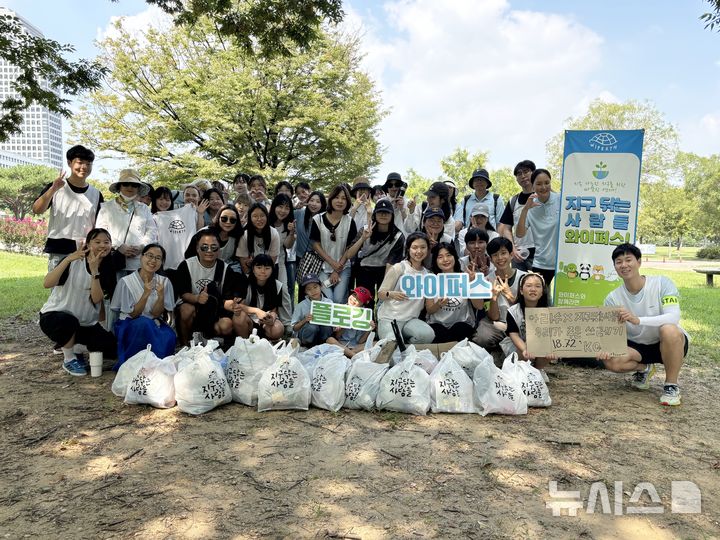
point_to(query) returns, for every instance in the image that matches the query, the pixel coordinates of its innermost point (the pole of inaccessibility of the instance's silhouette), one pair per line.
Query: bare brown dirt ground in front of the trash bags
(78, 463)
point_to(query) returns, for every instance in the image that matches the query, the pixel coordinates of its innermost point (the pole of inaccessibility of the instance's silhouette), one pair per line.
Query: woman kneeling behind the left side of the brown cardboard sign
(532, 294)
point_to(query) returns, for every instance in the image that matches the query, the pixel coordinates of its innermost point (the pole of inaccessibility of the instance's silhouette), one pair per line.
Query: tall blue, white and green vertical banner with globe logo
(599, 197)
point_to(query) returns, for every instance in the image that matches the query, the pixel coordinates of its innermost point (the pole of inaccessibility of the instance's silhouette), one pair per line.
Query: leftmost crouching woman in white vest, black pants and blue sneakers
(71, 314)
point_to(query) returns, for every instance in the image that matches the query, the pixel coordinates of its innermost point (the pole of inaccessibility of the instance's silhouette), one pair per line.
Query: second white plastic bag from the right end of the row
(496, 391)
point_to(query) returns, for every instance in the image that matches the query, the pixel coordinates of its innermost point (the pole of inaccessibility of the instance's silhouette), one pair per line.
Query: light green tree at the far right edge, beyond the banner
(701, 176)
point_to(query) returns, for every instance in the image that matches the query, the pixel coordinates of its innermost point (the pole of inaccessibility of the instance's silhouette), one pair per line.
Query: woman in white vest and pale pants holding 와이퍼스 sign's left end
(394, 303)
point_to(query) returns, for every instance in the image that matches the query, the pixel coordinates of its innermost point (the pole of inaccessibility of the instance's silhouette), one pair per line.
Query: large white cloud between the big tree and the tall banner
(477, 74)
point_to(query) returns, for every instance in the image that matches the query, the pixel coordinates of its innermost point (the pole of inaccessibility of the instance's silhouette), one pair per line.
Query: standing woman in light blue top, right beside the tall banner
(541, 215)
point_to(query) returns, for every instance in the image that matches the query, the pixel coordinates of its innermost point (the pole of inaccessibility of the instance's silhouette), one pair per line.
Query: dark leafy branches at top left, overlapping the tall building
(42, 66)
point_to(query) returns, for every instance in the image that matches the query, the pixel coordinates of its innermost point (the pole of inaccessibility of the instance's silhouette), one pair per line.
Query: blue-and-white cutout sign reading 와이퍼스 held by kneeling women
(450, 285)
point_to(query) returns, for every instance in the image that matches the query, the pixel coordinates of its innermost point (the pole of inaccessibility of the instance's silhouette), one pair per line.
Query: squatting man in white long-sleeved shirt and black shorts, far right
(650, 309)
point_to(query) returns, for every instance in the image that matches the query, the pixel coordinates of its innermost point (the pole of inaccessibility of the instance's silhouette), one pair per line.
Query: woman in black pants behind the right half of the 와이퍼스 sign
(452, 319)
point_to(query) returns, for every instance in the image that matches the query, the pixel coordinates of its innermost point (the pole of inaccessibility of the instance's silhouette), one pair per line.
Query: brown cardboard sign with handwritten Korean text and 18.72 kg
(575, 332)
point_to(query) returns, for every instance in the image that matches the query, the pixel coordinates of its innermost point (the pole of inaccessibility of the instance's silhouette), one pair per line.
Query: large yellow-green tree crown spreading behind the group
(189, 103)
